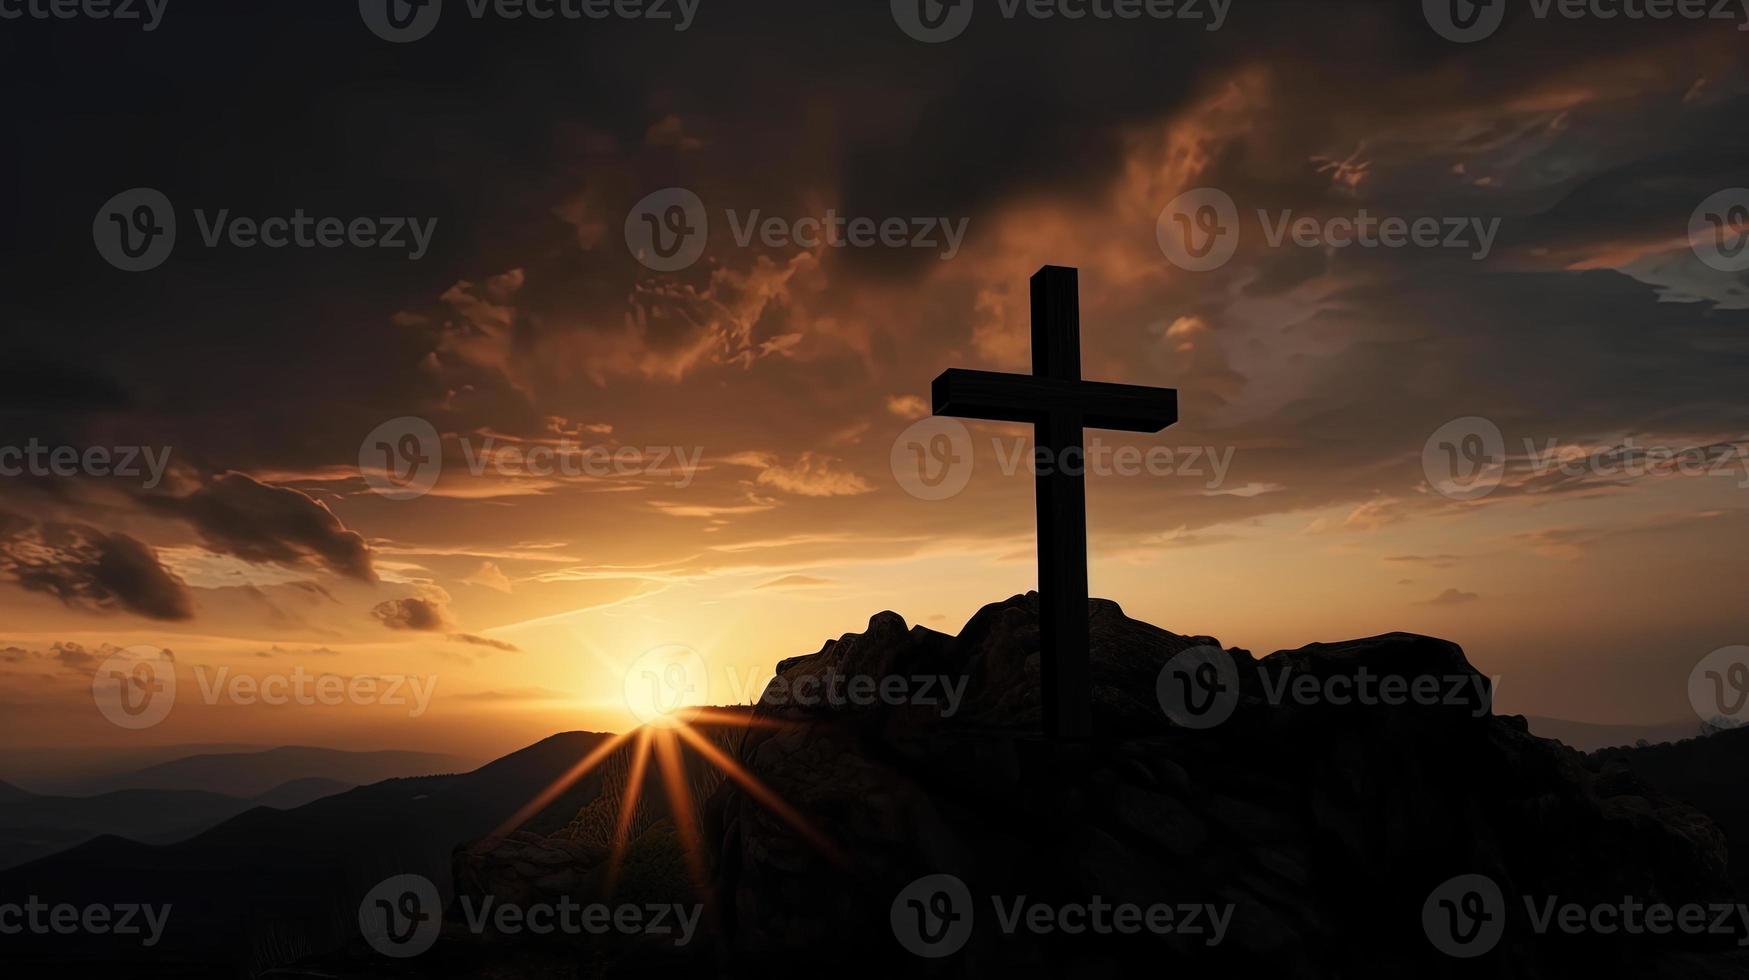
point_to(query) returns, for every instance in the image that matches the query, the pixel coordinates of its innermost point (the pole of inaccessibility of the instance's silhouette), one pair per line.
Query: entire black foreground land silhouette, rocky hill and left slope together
(1321, 827)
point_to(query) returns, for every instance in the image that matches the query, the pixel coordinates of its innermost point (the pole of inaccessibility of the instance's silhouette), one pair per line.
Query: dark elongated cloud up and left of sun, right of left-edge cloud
(270, 524)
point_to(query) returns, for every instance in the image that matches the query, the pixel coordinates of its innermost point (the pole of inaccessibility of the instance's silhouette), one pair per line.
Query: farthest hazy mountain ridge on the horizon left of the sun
(253, 774)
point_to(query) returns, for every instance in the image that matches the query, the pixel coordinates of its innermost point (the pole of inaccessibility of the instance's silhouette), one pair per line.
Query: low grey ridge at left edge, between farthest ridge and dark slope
(34, 825)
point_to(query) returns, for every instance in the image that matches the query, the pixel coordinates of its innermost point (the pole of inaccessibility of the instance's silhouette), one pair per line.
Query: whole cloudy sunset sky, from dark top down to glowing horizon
(1316, 375)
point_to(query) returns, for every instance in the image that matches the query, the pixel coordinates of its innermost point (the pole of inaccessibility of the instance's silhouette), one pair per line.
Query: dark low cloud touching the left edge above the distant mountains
(87, 568)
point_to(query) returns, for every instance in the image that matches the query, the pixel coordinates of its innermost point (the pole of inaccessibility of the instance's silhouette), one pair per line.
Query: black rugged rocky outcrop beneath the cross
(1321, 818)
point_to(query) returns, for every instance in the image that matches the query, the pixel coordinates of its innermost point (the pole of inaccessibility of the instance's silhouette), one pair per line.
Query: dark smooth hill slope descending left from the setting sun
(268, 881)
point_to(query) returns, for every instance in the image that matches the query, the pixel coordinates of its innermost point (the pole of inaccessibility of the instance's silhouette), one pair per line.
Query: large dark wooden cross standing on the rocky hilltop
(1059, 405)
